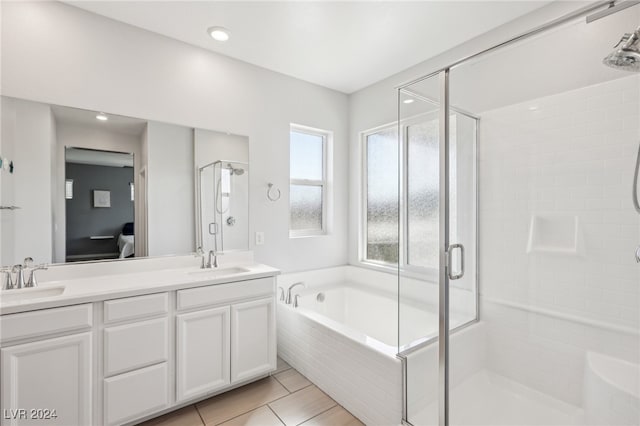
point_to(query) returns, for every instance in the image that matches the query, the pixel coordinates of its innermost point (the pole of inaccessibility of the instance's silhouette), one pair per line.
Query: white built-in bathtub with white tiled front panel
(344, 337)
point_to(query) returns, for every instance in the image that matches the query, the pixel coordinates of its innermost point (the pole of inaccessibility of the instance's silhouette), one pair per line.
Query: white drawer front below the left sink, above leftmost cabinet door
(45, 322)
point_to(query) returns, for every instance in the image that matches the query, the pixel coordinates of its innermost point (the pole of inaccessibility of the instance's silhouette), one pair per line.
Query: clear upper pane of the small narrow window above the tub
(306, 156)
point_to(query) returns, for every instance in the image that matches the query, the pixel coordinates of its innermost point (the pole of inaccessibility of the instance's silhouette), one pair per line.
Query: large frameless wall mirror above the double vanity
(79, 185)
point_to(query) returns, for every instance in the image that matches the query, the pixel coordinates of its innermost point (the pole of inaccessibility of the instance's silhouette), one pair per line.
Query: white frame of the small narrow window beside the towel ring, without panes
(327, 139)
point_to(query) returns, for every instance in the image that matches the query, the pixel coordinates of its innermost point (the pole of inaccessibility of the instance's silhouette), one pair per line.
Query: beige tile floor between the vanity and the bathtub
(286, 398)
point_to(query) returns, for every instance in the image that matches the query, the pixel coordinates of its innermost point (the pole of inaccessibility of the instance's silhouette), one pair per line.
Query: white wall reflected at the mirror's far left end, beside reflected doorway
(27, 138)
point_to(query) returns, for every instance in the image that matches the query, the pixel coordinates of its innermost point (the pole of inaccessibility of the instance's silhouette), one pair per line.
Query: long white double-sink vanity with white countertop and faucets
(120, 348)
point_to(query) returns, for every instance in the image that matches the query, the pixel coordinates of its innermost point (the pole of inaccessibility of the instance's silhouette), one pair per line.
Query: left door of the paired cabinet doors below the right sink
(202, 353)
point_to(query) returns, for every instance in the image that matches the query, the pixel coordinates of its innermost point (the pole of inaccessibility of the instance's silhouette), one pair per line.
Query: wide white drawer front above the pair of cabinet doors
(224, 293)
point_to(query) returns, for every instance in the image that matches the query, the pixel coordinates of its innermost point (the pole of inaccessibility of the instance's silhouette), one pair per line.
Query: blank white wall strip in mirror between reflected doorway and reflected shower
(170, 193)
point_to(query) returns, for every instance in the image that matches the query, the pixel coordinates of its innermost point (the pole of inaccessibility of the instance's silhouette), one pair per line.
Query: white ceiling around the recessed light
(345, 46)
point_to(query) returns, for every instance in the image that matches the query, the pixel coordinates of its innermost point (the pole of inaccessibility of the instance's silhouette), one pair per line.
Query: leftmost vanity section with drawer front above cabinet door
(47, 367)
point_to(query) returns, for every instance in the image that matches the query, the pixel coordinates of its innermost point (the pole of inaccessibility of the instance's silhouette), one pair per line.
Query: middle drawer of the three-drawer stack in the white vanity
(136, 345)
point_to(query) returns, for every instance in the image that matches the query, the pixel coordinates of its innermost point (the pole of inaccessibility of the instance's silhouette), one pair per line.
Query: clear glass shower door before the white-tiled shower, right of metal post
(558, 135)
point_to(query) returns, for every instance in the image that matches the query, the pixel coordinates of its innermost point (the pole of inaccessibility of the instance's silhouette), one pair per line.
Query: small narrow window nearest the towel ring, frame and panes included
(308, 181)
